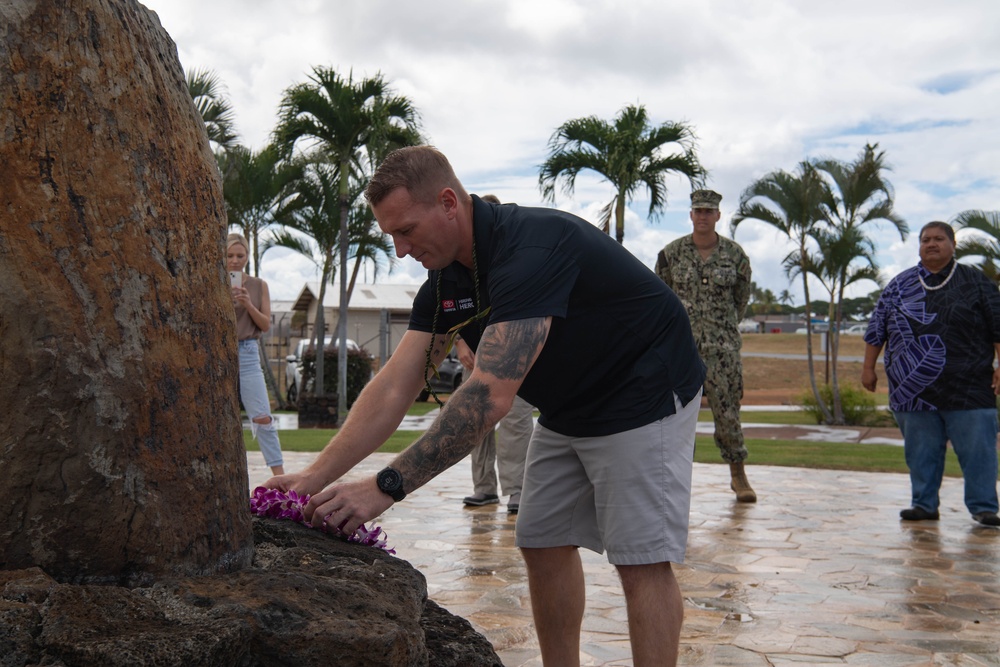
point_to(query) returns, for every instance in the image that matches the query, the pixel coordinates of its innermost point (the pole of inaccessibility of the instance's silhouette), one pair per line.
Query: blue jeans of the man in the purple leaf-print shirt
(973, 435)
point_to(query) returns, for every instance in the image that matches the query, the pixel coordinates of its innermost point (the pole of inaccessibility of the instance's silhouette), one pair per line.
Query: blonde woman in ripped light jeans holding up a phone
(253, 317)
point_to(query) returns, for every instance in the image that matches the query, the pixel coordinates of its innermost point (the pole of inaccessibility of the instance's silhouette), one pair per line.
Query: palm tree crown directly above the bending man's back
(627, 153)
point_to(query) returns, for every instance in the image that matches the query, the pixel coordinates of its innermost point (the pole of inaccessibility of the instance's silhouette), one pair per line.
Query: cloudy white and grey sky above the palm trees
(765, 85)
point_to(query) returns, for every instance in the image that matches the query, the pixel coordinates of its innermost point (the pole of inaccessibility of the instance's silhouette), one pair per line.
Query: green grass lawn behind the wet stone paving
(792, 453)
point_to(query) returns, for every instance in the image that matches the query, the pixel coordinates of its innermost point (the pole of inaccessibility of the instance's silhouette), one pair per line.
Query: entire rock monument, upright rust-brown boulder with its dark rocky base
(125, 530)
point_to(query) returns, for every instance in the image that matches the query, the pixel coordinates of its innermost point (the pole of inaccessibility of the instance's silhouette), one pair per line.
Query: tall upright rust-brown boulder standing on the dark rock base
(120, 442)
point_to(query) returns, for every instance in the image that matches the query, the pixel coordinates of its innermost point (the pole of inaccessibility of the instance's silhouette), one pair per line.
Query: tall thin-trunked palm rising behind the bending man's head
(352, 124)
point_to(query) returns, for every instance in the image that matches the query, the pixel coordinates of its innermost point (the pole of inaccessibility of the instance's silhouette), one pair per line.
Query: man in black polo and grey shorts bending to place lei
(561, 315)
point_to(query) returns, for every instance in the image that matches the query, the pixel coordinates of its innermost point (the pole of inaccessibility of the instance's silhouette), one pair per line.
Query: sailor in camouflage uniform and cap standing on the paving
(711, 275)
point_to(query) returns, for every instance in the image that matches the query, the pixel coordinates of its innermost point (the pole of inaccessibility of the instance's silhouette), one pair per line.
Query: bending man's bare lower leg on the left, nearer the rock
(558, 596)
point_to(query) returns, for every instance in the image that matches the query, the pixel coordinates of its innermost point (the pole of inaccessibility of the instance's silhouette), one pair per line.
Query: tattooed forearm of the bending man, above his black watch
(463, 423)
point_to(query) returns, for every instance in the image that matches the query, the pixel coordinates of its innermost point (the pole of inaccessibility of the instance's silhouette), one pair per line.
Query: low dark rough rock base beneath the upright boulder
(307, 599)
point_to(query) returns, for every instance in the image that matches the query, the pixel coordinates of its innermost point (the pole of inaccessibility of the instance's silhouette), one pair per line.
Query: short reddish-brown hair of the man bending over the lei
(423, 170)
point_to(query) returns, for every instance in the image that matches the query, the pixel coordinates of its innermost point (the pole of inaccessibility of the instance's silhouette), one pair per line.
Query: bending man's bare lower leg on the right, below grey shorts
(655, 613)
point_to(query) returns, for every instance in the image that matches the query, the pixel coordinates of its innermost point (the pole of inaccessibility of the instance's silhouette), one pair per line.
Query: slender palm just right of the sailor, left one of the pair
(793, 204)
